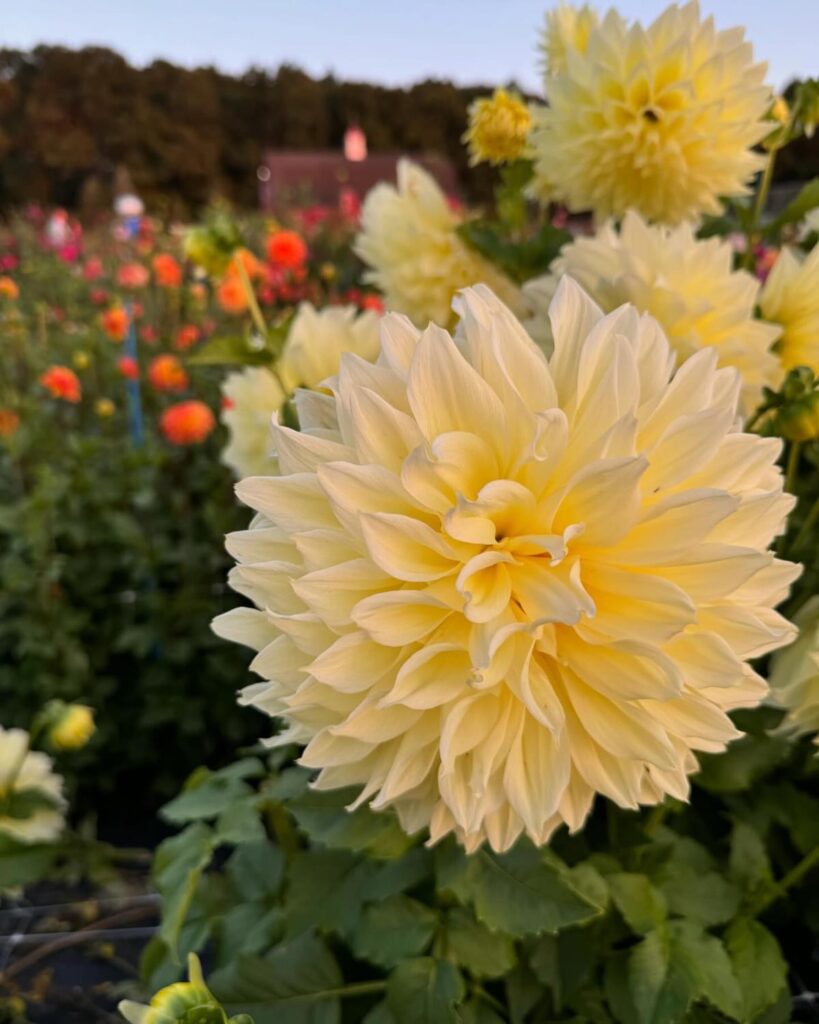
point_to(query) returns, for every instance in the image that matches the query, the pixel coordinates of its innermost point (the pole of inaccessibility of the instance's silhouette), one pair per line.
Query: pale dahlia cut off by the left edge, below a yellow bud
(31, 794)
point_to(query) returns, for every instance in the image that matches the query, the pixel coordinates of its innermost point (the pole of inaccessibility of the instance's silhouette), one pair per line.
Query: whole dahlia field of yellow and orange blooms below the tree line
(411, 614)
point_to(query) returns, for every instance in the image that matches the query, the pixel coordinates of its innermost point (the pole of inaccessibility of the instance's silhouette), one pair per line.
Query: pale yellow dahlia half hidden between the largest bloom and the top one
(689, 285)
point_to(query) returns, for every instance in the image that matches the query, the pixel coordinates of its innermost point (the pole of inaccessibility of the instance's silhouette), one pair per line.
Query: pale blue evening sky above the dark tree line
(391, 41)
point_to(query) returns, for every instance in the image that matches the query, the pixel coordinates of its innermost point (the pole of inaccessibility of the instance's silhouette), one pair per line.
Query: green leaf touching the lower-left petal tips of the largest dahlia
(325, 820)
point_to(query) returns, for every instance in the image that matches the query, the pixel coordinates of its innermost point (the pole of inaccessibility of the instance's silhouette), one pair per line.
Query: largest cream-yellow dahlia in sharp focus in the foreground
(490, 586)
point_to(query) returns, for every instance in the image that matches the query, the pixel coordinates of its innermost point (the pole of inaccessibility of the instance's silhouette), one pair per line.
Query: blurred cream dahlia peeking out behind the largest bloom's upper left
(316, 343)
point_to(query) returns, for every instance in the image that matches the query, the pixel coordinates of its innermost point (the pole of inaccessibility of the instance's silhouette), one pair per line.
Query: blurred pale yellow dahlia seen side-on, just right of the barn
(409, 239)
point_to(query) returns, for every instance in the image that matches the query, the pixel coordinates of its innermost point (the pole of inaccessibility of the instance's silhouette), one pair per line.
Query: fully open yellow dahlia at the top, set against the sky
(662, 119)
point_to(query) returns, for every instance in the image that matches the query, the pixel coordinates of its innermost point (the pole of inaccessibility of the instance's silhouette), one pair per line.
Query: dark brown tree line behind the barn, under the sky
(74, 123)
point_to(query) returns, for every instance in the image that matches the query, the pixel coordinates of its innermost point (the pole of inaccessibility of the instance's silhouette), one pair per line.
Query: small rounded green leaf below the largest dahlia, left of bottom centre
(394, 930)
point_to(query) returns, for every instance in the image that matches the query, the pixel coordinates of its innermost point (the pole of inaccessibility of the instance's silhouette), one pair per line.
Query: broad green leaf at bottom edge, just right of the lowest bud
(294, 985)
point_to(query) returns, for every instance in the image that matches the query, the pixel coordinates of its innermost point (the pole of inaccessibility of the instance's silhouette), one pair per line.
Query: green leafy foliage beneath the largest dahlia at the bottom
(320, 915)
